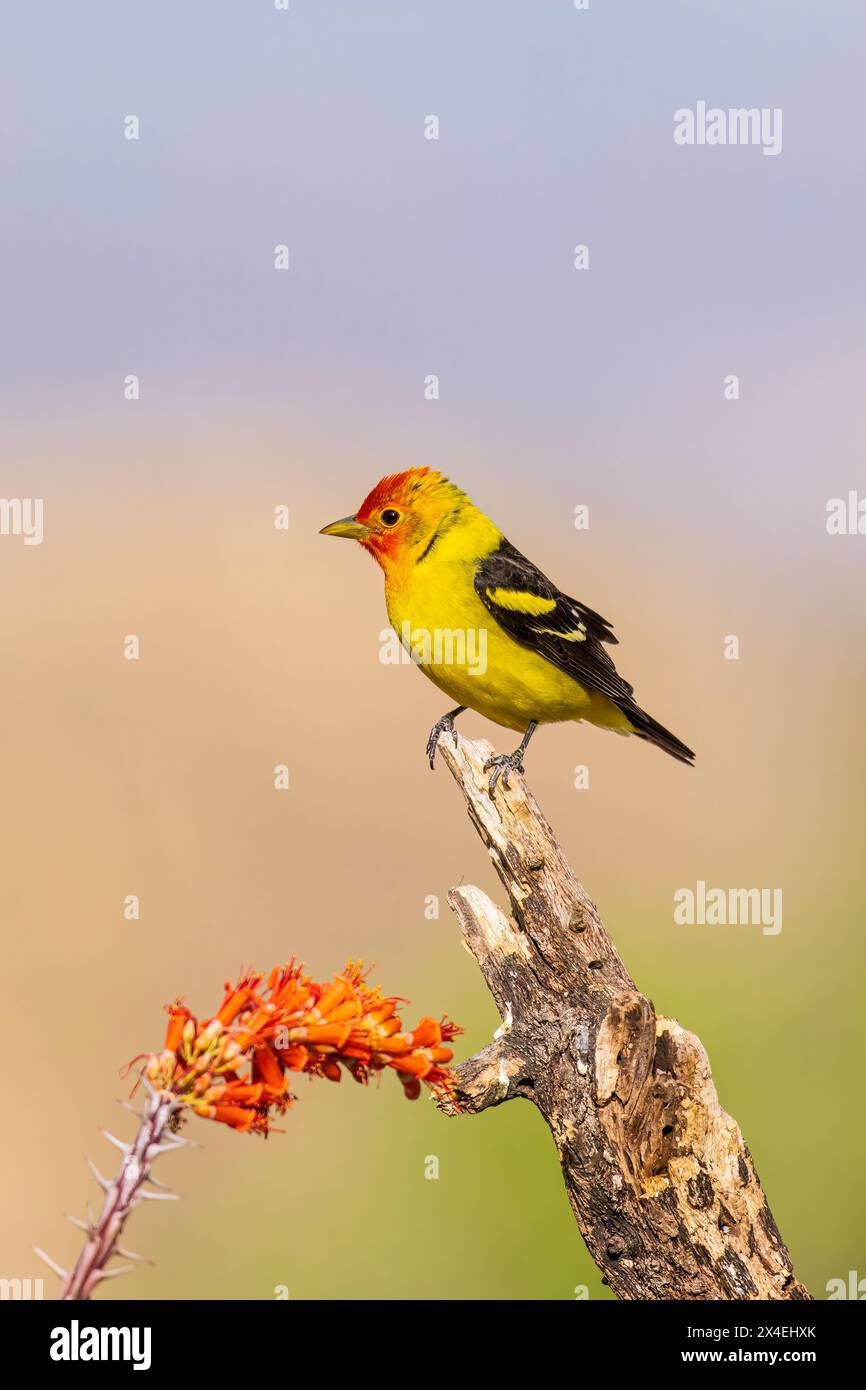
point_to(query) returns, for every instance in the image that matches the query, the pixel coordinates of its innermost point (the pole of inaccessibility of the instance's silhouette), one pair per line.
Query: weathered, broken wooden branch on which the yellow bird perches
(660, 1178)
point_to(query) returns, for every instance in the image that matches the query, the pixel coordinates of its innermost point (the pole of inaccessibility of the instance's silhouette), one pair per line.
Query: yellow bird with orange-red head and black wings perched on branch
(450, 575)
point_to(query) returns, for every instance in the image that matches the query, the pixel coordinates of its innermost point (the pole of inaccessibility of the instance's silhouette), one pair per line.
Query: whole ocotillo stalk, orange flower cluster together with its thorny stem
(234, 1068)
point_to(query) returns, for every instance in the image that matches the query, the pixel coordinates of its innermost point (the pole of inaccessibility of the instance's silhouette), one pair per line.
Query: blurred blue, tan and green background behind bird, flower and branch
(559, 389)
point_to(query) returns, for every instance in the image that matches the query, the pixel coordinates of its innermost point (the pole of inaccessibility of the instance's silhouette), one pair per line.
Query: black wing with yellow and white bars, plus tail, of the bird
(566, 633)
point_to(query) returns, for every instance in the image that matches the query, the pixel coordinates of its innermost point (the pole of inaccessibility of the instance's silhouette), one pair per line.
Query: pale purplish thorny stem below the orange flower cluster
(123, 1195)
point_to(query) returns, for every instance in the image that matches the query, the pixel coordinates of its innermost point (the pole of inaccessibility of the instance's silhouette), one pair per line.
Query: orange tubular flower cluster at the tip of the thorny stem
(234, 1068)
